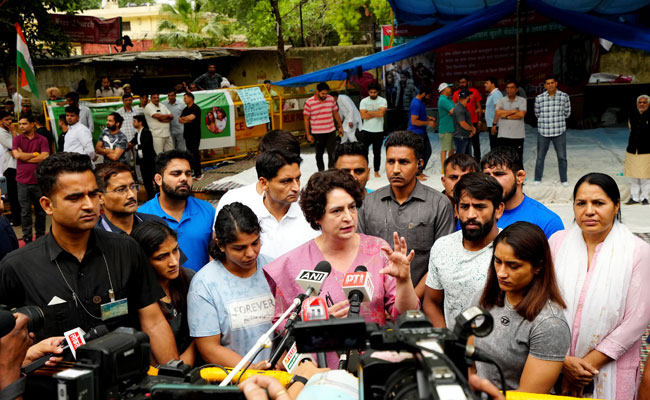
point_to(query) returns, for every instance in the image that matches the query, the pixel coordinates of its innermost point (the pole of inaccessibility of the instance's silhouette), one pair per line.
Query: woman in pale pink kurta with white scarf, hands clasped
(603, 270)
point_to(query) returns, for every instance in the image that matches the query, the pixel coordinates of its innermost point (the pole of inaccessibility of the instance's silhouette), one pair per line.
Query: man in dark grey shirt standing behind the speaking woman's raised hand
(416, 212)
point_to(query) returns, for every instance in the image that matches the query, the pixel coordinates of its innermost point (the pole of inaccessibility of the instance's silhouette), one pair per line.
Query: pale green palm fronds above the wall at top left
(190, 25)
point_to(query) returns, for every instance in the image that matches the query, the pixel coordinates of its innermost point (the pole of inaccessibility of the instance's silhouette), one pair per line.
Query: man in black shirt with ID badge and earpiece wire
(81, 276)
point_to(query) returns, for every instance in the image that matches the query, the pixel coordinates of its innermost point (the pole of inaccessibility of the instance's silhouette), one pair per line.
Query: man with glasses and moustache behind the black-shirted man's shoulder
(118, 196)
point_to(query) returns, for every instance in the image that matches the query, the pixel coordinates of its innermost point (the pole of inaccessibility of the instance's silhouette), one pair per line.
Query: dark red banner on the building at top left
(86, 29)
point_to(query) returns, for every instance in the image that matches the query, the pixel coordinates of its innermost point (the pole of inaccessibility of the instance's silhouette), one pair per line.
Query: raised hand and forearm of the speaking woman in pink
(399, 267)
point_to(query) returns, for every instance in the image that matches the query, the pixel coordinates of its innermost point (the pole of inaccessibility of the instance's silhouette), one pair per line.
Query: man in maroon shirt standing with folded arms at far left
(29, 149)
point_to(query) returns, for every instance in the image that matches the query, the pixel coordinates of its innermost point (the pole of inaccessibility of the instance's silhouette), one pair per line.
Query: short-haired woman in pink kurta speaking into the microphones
(329, 202)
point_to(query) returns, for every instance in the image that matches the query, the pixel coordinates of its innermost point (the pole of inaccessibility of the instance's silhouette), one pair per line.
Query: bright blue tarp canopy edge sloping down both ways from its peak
(619, 33)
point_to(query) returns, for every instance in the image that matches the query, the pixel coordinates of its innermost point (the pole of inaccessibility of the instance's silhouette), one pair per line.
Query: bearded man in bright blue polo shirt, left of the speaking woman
(191, 218)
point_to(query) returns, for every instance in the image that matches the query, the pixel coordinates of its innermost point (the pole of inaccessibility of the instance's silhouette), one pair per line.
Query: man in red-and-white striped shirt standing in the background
(319, 113)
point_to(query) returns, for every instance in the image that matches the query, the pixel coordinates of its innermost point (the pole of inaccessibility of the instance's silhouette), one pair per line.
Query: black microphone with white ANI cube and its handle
(311, 282)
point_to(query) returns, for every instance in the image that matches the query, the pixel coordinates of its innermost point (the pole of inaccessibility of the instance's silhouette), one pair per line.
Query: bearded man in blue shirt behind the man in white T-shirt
(504, 164)
